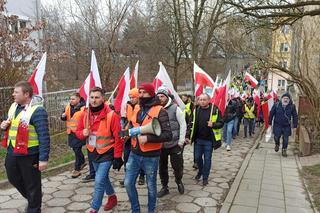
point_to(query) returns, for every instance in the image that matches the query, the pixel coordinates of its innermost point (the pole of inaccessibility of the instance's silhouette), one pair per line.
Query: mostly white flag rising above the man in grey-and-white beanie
(163, 78)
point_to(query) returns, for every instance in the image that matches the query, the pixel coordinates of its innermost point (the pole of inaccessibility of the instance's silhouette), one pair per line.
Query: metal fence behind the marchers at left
(54, 102)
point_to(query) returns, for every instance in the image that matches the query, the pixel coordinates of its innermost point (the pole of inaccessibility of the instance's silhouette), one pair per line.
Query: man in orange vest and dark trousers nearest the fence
(71, 115)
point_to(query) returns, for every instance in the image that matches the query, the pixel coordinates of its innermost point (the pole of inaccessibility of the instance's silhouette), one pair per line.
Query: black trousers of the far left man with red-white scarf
(24, 175)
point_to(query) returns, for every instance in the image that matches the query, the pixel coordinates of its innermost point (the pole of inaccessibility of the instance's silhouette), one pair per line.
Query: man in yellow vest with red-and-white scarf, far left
(27, 143)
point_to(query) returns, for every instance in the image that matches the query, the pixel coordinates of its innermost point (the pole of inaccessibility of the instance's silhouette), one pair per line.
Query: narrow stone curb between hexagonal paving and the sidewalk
(236, 183)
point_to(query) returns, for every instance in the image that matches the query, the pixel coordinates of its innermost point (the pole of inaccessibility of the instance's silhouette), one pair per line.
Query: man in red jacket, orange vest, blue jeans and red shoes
(101, 132)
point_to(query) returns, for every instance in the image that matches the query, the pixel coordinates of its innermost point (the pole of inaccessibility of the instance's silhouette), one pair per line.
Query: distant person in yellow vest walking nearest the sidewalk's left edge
(249, 116)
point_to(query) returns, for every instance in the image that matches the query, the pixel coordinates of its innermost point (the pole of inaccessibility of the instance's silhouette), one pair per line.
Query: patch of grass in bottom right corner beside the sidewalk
(312, 177)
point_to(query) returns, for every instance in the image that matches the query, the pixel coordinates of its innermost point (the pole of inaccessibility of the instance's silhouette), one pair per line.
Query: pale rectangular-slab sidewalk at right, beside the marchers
(271, 184)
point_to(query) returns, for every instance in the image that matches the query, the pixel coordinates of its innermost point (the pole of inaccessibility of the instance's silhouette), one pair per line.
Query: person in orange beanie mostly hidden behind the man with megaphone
(134, 99)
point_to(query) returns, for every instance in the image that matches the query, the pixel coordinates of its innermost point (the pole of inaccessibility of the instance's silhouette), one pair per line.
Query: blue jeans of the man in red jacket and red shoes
(102, 183)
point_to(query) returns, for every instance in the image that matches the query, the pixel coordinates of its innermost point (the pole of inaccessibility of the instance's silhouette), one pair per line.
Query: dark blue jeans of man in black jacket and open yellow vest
(203, 148)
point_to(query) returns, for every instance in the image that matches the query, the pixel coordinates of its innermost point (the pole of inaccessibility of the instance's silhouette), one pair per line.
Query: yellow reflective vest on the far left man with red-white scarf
(32, 136)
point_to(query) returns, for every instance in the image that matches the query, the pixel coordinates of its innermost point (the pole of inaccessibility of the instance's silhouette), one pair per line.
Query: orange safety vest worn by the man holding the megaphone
(153, 113)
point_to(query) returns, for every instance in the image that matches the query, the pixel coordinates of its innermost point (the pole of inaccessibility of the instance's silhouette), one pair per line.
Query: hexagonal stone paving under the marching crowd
(64, 194)
